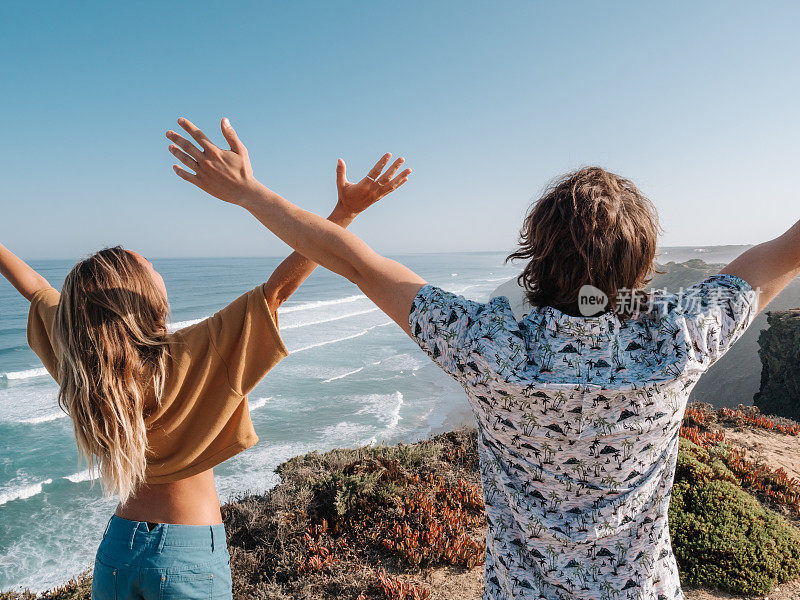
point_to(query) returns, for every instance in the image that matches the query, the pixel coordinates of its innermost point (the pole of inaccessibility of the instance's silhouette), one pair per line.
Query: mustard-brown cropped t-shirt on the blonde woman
(202, 419)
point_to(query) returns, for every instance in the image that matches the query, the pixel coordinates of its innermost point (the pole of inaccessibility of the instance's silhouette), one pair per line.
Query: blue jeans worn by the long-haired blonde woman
(168, 562)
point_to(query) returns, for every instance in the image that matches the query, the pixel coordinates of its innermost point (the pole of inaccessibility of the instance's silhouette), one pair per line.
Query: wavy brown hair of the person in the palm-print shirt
(589, 227)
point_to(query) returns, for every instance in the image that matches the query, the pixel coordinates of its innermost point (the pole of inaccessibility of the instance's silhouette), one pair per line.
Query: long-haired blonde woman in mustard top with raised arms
(155, 411)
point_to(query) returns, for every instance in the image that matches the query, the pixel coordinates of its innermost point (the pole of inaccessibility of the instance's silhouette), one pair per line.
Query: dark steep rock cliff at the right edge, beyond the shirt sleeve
(779, 350)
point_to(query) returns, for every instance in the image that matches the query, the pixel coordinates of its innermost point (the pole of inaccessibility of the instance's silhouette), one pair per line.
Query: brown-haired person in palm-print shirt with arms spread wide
(578, 414)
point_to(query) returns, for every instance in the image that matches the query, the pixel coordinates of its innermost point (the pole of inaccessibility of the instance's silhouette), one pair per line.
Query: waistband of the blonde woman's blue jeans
(136, 533)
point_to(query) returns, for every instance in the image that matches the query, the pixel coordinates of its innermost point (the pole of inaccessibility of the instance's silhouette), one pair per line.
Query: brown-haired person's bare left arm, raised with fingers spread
(227, 174)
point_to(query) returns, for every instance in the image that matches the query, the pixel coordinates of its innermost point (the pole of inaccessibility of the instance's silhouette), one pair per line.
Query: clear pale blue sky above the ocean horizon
(696, 102)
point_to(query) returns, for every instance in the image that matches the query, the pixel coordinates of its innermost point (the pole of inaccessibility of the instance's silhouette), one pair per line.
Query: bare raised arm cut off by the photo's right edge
(770, 266)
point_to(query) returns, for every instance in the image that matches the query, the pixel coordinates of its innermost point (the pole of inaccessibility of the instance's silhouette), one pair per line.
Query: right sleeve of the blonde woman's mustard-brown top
(245, 336)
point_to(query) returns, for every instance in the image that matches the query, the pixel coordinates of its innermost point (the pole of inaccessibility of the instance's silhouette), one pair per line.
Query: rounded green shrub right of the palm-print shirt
(721, 536)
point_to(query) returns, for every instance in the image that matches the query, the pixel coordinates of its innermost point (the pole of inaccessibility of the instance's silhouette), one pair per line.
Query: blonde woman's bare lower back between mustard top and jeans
(190, 501)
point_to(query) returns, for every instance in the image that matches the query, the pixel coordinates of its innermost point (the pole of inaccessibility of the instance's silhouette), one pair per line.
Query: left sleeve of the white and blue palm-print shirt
(453, 330)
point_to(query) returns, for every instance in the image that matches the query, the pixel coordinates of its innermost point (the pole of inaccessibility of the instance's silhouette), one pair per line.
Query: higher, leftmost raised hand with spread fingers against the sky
(225, 174)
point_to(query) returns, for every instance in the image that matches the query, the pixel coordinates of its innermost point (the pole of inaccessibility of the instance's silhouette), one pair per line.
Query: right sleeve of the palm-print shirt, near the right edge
(716, 313)
